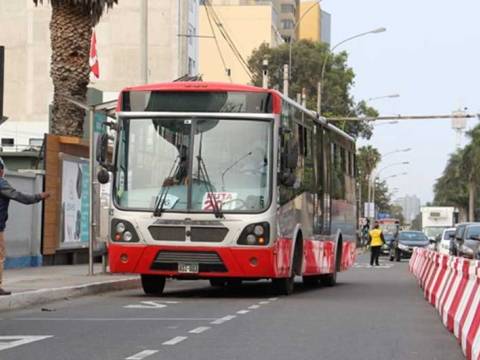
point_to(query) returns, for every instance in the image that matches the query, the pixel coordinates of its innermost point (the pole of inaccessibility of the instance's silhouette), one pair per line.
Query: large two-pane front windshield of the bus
(194, 165)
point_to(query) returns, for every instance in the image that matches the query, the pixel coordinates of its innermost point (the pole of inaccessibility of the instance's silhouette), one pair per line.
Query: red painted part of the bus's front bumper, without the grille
(239, 262)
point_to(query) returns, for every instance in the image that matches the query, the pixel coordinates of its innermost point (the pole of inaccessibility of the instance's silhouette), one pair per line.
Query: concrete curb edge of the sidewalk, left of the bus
(43, 296)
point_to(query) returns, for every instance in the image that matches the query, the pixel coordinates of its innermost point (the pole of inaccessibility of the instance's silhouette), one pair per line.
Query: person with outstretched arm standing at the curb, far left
(7, 193)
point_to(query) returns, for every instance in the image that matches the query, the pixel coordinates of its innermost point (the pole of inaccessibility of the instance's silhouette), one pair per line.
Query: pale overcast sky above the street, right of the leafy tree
(430, 56)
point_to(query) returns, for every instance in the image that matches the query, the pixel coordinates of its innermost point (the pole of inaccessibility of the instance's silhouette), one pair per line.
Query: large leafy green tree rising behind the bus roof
(307, 62)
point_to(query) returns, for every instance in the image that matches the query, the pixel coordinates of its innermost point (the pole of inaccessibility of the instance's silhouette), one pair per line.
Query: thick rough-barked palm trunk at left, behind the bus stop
(70, 33)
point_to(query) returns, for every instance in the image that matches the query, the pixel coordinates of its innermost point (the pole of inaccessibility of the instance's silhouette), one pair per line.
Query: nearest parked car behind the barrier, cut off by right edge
(467, 241)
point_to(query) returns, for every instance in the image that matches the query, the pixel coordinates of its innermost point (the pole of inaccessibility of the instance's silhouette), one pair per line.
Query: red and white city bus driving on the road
(228, 183)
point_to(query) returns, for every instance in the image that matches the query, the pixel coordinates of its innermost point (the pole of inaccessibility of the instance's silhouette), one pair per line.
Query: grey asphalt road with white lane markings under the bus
(373, 313)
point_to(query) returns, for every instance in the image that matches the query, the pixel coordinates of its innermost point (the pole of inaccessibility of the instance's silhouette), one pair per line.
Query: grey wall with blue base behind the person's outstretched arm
(24, 229)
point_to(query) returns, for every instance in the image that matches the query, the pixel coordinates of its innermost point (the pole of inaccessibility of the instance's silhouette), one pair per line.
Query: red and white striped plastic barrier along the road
(452, 285)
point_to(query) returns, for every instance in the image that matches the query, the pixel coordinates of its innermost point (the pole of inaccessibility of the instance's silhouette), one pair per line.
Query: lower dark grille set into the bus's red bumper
(208, 261)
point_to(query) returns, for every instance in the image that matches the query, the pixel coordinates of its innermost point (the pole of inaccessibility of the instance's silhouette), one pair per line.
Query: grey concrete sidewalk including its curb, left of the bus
(41, 285)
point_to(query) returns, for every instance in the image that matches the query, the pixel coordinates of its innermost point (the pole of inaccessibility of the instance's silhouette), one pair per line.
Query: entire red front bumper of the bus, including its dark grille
(193, 262)
